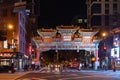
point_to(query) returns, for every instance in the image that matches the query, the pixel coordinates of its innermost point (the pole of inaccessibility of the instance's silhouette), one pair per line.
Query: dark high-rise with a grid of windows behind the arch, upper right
(103, 13)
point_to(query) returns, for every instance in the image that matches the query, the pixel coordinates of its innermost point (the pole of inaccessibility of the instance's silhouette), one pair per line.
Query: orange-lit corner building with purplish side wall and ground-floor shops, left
(14, 47)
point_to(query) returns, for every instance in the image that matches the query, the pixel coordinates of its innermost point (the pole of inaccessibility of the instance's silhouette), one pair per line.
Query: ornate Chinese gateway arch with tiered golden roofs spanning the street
(67, 38)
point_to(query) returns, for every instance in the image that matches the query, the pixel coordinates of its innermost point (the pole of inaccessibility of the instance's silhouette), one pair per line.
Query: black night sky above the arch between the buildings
(60, 12)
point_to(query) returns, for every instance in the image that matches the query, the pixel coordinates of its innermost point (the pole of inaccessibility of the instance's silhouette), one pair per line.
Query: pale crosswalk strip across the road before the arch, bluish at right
(107, 73)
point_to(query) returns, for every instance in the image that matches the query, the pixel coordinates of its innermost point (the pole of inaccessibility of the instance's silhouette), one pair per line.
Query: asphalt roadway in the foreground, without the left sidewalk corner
(68, 75)
